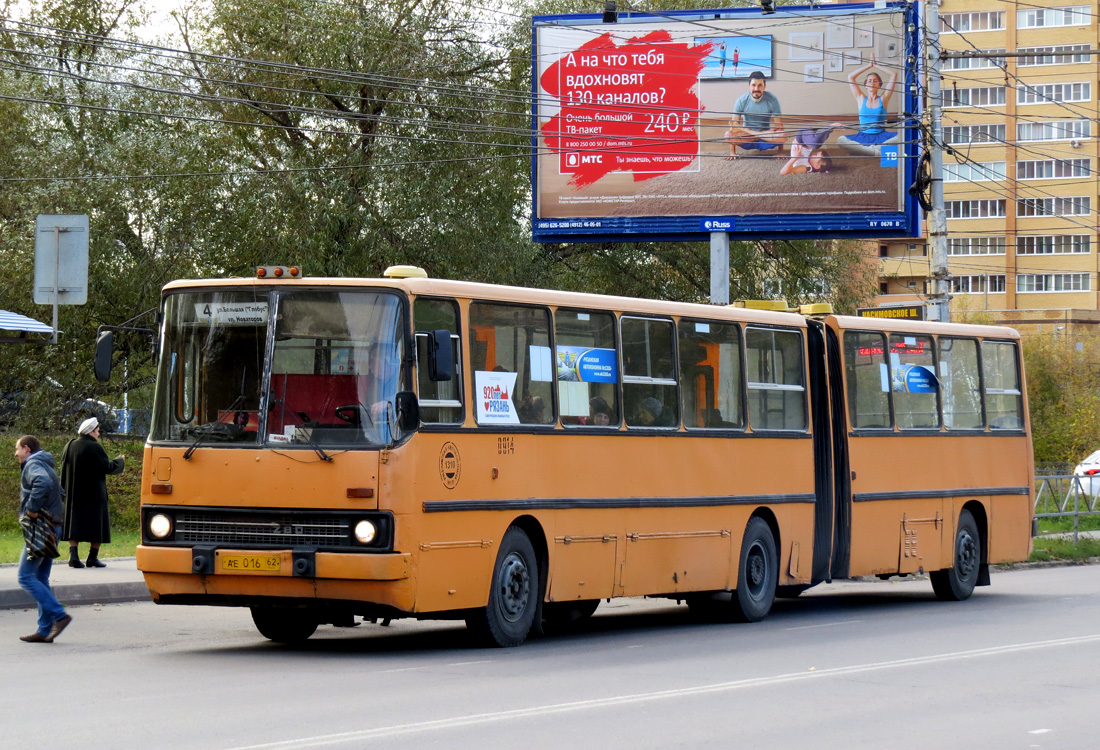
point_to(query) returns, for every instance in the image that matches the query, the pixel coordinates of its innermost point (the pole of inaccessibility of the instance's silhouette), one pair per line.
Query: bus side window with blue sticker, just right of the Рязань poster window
(588, 369)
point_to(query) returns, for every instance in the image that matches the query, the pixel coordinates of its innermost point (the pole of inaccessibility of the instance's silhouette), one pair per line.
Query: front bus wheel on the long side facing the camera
(513, 597)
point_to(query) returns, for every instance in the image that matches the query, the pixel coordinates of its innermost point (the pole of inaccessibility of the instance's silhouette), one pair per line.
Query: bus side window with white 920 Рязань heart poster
(518, 347)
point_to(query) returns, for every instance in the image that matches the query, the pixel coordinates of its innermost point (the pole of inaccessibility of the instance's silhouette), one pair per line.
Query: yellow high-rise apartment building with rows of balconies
(1020, 169)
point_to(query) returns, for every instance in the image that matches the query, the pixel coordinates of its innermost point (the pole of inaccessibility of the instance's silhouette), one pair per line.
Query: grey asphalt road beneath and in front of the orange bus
(846, 666)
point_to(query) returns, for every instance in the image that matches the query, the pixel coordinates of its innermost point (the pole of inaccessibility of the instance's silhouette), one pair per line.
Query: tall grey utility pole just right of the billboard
(938, 218)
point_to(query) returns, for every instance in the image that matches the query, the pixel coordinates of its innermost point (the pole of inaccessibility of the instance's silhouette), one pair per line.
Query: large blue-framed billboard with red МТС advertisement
(801, 124)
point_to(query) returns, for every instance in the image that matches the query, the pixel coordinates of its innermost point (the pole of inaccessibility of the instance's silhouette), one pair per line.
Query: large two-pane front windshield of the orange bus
(334, 360)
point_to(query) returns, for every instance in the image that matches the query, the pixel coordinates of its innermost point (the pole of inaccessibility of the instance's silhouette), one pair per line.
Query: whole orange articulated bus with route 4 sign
(327, 449)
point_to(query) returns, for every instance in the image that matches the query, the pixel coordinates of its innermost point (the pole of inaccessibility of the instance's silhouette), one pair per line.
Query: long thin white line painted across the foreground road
(358, 736)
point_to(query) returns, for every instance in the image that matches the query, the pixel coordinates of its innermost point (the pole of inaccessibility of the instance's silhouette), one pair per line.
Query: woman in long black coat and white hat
(85, 468)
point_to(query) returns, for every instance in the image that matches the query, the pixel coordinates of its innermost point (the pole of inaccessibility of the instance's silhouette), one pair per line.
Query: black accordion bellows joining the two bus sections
(832, 480)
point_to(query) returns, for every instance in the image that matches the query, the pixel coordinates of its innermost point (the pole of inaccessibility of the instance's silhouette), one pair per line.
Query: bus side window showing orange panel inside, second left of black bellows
(711, 373)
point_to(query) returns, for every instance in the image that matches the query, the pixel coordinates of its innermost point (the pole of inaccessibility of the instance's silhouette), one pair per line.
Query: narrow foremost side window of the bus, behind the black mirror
(441, 401)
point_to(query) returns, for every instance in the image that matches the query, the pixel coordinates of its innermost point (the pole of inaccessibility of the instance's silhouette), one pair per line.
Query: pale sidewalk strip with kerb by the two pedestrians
(119, 582)
